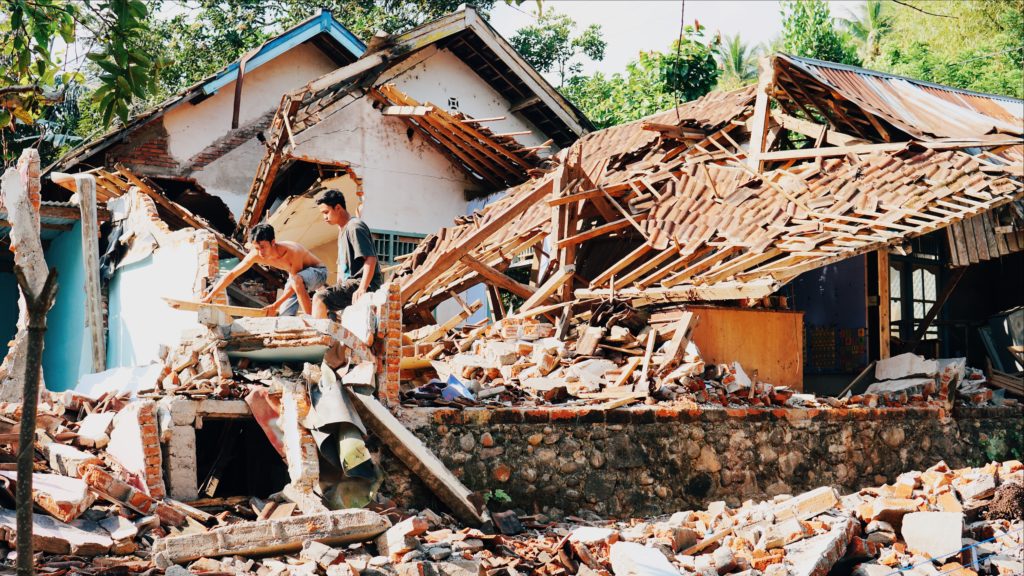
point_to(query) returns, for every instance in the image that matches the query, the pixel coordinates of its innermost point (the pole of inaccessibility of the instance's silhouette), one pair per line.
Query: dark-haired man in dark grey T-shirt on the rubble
(358, 270)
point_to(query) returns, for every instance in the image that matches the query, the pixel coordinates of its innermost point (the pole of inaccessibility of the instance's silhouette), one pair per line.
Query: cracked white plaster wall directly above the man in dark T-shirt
(408, 186)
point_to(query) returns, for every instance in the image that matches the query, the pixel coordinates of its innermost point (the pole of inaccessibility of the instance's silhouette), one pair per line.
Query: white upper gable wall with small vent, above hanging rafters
(436, 75)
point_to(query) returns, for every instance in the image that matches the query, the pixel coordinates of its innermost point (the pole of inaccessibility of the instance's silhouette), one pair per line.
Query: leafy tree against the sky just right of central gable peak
(551, 47)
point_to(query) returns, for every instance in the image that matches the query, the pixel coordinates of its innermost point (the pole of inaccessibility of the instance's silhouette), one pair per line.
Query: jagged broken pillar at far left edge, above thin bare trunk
(20, 189)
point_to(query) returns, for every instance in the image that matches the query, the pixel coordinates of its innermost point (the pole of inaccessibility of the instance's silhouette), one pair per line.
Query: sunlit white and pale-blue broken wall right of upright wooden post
(140, 319)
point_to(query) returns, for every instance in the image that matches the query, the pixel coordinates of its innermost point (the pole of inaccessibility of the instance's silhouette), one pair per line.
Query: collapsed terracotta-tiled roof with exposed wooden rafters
(694, 213)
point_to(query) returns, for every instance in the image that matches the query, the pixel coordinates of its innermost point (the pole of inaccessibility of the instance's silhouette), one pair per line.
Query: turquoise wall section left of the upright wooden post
(66, 353)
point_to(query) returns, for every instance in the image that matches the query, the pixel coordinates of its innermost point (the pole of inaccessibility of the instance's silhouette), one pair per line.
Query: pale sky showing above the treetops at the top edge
(632, 27)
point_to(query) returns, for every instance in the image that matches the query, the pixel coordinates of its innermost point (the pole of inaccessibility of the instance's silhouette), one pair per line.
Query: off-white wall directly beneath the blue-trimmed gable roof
(192, 129)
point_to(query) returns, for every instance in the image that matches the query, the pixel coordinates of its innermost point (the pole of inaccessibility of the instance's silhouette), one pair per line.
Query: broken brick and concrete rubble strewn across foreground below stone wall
(932, 522)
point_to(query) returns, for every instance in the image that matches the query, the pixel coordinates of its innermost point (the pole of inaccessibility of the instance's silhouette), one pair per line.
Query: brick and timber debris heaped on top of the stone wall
(615, 355)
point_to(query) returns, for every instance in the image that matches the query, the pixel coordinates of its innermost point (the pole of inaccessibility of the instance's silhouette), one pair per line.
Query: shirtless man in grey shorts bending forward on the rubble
(306, 272)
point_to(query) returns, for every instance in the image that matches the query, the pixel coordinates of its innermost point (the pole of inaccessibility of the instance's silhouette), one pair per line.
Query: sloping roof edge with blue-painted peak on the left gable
(322, 30)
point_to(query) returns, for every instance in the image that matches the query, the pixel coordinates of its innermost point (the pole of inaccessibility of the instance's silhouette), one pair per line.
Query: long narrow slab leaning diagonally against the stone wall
(419, 459)
